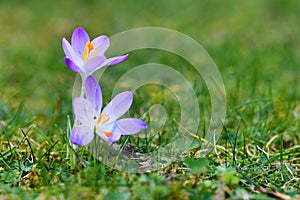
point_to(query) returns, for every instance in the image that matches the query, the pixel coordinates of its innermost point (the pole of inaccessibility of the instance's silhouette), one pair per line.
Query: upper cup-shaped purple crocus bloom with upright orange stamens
(85, 56)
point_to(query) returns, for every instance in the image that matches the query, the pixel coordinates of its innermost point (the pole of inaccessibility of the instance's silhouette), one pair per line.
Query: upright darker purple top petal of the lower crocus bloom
(93, 93)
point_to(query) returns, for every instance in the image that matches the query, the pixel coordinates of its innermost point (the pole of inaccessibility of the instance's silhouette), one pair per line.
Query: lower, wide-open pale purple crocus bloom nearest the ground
(104, 123)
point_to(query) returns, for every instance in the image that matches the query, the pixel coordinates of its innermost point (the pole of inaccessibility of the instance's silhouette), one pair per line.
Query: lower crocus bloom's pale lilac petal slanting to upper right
(119, 105)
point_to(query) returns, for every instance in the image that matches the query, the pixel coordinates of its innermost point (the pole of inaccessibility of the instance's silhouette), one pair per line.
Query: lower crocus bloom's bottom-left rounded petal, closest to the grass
(81, 135)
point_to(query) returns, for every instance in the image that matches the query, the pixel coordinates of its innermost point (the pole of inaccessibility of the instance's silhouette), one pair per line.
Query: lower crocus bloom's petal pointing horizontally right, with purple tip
(129, 126)
